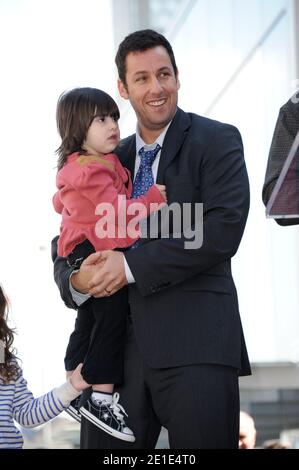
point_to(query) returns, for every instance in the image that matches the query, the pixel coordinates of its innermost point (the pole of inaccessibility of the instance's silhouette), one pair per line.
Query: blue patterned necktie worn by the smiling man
(144, 178)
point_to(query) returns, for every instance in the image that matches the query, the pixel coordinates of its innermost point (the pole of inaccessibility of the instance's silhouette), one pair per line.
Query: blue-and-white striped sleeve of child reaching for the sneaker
(30, 412)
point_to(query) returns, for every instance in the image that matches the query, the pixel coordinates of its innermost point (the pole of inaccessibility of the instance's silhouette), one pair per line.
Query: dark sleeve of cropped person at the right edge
(284, 134)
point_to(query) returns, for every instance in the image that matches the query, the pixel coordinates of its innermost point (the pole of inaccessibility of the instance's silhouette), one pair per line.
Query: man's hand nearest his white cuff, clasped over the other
(109, 276)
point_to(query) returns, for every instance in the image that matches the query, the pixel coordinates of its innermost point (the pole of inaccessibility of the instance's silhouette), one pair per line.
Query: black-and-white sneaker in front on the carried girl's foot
(109, 417)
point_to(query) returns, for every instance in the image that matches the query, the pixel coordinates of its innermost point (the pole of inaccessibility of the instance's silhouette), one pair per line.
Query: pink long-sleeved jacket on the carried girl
(87, 181)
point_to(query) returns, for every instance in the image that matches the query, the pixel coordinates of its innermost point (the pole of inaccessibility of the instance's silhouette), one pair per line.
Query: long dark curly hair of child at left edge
(8, 369)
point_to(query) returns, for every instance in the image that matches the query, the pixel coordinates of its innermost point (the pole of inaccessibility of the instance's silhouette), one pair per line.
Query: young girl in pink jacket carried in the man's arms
(90, 175)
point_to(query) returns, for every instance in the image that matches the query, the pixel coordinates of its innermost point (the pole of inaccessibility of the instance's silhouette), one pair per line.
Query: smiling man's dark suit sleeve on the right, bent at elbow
(166, 262)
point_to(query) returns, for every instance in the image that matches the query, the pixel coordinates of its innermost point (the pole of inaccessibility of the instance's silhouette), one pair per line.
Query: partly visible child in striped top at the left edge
(16, 401)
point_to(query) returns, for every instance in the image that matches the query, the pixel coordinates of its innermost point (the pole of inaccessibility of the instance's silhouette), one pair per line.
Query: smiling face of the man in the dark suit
(151, 87)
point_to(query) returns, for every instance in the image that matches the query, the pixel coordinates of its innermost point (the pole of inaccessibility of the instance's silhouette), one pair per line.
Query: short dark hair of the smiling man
(141, 41)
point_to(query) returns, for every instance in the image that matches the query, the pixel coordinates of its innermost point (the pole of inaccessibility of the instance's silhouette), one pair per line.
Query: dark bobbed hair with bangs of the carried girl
(75, 112)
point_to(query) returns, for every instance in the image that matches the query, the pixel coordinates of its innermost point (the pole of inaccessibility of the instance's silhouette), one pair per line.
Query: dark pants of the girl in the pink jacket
(99, 334)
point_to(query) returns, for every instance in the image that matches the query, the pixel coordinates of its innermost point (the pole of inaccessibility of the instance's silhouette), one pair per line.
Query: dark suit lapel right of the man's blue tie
(173, 141)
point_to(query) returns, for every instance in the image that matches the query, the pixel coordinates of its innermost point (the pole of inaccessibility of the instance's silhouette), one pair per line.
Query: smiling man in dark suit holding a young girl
(185, 345)
